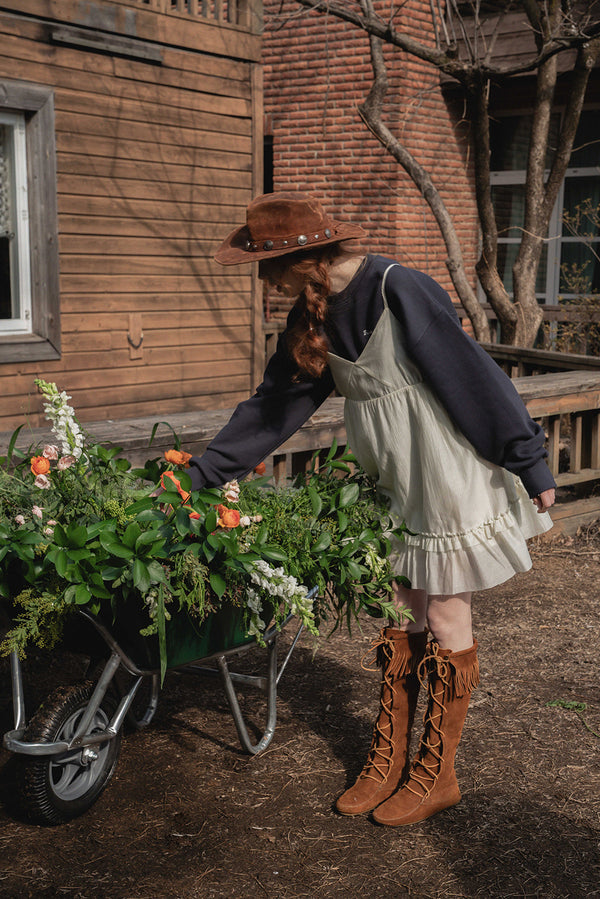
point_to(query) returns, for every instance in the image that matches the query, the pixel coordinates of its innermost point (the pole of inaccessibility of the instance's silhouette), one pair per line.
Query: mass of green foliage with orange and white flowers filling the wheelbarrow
(80, 529)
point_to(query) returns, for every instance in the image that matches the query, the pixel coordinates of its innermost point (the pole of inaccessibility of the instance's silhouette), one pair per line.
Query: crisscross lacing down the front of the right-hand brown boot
(432, 663)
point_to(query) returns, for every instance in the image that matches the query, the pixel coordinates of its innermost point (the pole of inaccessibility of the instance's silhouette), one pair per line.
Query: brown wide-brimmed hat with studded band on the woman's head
(280, 223)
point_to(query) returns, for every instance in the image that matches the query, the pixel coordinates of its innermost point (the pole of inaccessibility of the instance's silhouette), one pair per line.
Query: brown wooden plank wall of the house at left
(156, 163)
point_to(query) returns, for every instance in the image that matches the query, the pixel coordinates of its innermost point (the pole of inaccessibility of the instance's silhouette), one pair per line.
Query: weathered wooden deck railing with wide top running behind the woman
(566, 403)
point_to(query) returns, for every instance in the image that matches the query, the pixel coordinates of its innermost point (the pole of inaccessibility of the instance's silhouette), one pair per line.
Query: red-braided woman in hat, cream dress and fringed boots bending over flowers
(439, 426)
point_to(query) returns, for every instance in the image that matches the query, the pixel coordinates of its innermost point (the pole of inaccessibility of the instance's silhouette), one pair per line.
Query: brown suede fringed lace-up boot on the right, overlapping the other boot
(431, 785)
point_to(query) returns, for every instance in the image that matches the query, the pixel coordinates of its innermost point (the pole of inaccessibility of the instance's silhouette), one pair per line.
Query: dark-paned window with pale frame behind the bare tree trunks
(573, 246)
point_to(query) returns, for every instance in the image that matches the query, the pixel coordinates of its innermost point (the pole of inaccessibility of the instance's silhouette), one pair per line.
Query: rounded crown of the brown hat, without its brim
(284, 215)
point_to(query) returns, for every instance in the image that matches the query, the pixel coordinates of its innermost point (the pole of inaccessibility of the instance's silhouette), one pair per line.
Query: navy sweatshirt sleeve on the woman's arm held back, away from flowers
(478, 395)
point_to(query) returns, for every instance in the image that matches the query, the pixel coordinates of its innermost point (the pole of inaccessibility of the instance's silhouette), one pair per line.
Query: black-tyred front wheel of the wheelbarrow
(54, 790)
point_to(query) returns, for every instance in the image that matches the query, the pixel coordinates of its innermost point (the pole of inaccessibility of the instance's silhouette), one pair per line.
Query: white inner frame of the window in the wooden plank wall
(20, 274)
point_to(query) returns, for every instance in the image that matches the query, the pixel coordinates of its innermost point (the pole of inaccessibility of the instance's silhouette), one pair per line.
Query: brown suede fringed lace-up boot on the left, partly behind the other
(398, 655)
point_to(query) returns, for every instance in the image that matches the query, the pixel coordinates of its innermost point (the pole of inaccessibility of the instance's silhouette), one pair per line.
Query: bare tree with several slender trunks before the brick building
(557, 25)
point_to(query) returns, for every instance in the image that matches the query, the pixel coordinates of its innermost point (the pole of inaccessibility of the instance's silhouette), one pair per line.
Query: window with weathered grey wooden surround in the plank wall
(29, 295)
